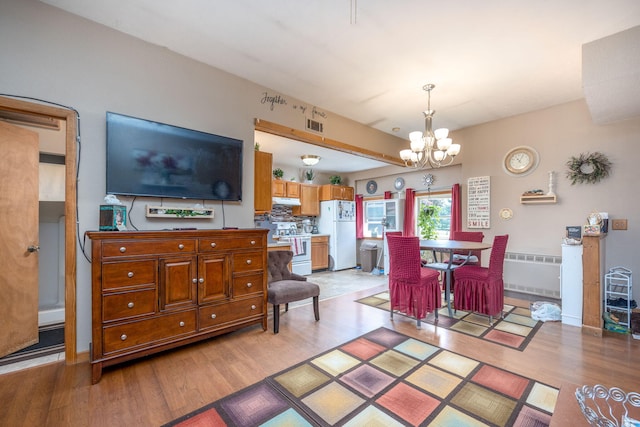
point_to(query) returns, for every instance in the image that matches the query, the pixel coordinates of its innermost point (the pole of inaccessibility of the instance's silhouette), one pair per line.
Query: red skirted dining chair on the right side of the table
(481, 289)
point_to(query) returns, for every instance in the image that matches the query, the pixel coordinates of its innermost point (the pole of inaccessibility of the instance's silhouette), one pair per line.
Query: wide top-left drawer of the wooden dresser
(119, 248)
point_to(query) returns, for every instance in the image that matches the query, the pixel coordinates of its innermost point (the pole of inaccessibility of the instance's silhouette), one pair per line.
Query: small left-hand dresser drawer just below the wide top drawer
(125, 274)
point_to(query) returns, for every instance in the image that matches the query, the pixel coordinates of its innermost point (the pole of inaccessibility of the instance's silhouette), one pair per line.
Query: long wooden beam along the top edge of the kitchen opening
(311, 138)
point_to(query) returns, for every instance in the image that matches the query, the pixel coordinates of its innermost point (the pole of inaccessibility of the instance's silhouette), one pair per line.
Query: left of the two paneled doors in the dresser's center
(177, 287)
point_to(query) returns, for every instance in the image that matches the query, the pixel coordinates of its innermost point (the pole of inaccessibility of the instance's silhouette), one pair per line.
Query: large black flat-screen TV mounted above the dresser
(146, 158)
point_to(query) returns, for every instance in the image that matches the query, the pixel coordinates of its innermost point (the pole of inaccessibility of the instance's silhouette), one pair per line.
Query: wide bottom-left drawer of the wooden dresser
(148, 331)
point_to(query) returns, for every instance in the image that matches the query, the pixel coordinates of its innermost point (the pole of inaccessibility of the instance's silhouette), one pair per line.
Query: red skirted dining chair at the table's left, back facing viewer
(413, 290)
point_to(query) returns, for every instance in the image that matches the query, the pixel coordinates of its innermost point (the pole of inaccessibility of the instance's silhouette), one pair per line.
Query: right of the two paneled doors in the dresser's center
(214, 278)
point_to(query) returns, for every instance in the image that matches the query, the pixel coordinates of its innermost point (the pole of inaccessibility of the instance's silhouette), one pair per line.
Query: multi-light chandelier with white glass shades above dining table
(431, 148)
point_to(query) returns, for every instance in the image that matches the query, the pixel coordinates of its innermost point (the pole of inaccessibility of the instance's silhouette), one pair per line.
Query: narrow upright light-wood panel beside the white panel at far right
(592, 290)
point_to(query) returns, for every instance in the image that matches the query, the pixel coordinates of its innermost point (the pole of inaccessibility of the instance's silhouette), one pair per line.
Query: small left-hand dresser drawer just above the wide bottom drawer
(129, 304)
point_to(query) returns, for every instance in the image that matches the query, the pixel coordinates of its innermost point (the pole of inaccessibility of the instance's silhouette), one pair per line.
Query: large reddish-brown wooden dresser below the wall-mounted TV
(156, 290)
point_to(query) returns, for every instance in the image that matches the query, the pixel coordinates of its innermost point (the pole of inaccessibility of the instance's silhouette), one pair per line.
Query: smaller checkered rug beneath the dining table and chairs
(515, 331)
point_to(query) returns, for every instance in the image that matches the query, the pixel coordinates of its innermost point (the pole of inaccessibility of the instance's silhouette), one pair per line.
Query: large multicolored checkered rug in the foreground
(384, 378)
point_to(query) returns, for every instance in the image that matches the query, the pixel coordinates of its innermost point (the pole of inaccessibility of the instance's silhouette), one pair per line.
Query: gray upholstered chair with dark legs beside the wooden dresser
(285, 287)
